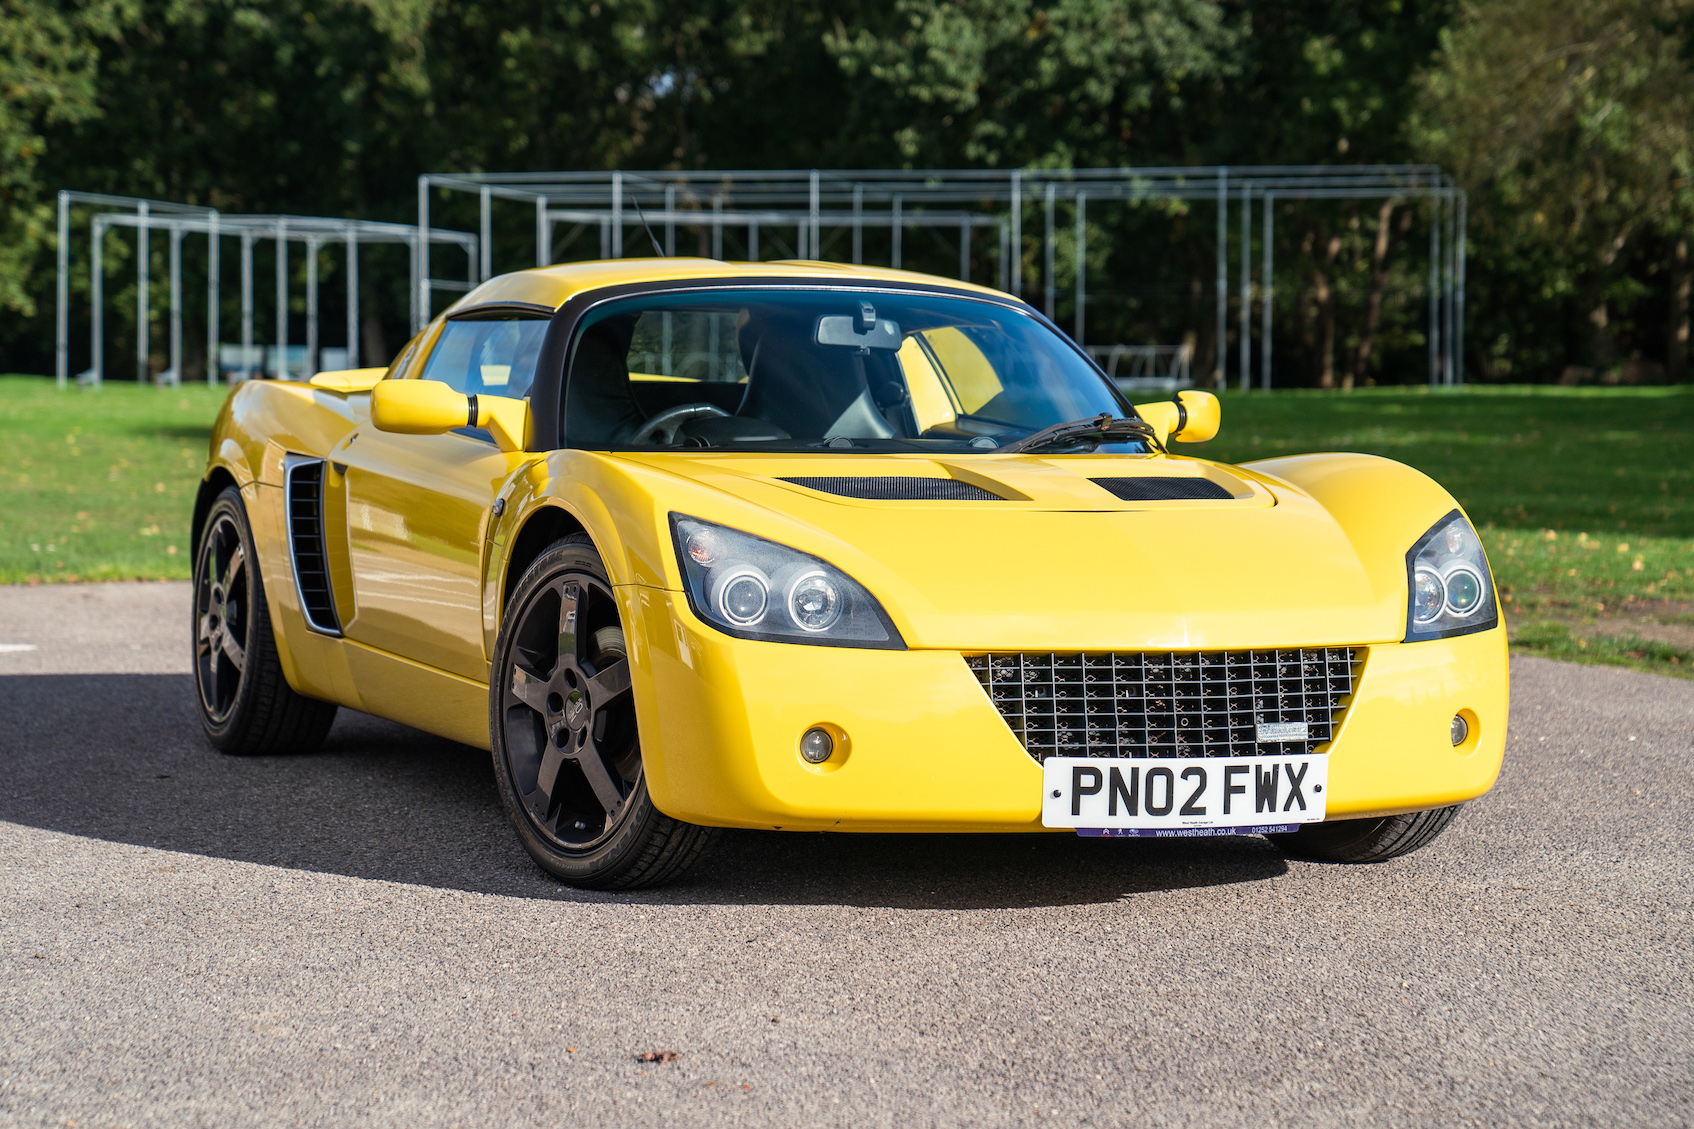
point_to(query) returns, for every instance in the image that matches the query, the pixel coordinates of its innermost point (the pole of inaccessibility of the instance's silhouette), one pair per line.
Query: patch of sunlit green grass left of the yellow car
(99, 484)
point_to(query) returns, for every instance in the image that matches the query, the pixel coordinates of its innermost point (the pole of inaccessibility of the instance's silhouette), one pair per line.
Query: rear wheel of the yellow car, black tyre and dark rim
(246, 704)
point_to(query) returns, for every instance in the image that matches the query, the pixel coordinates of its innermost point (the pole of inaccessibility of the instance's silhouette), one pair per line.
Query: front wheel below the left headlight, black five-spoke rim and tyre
(562, 720)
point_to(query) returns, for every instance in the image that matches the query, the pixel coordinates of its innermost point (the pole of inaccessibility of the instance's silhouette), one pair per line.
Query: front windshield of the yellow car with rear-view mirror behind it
(824, 370)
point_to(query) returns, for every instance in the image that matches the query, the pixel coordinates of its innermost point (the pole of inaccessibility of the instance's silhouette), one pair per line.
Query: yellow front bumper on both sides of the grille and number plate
(926, 750)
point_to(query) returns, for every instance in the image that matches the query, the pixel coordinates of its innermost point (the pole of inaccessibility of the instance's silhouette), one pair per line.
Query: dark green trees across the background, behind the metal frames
(1568, 121)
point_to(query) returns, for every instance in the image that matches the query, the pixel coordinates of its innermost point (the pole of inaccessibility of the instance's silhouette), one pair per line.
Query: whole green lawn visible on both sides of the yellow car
(1585, 496)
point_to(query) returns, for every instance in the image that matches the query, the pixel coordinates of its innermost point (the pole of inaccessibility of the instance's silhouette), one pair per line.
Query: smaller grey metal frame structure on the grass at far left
(179, 221)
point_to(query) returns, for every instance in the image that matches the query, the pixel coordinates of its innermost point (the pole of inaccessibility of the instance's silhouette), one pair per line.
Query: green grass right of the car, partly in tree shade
(1585, 496)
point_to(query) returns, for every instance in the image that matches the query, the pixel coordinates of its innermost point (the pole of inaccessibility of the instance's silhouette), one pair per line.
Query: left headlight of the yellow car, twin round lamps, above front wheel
(758, 589)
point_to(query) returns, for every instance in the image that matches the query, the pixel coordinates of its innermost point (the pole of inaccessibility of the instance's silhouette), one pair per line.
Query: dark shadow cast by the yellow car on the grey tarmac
(123, 759)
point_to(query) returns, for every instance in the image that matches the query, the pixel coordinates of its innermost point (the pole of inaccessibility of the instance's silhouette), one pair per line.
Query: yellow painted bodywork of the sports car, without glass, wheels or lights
(1309, 552)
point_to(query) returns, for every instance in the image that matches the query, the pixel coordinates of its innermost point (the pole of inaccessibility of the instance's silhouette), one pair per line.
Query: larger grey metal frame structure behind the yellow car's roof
(814, 203)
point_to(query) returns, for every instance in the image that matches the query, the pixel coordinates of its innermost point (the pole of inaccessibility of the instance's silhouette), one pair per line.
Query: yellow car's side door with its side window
(421, 508)
